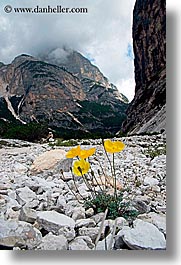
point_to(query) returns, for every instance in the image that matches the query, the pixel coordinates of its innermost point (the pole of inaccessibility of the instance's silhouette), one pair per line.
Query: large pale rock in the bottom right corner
(144, 235)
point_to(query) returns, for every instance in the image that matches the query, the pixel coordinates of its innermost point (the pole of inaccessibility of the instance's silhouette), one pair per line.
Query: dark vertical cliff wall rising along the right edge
(149, 43)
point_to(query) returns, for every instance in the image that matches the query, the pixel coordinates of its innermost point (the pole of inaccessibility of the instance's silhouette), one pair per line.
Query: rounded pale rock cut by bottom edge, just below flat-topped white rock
(53, 242)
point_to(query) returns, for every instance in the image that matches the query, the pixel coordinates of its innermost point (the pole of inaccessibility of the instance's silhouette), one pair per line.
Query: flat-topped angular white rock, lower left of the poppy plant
(52, 221)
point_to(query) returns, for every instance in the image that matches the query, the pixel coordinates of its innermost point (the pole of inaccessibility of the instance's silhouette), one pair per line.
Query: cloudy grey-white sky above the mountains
(104, 35)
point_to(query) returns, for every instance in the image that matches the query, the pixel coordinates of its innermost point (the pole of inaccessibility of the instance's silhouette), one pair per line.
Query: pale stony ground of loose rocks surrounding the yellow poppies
(39, 211)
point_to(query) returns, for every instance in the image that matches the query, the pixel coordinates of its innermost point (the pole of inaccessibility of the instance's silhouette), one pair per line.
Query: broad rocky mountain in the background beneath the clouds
(72, 98)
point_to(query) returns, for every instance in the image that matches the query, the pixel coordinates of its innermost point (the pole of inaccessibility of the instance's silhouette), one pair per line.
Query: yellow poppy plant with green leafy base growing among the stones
(100, 199)
